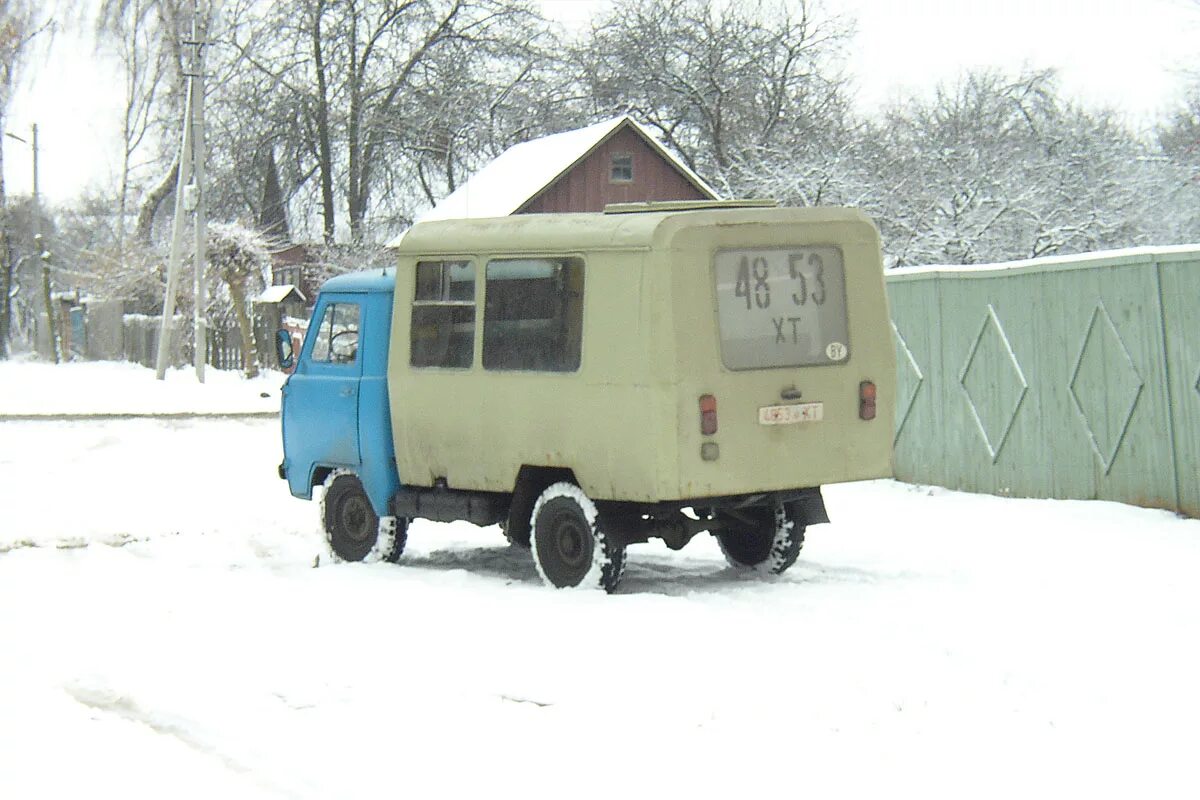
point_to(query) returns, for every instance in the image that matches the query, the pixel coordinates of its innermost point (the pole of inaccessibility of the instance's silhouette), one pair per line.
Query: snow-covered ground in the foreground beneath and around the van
(165, 634)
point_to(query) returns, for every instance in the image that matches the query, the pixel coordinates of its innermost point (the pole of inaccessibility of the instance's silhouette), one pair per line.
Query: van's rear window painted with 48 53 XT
(782, 308)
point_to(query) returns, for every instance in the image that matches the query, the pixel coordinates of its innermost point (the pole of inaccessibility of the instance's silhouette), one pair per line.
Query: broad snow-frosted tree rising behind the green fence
(999, 167)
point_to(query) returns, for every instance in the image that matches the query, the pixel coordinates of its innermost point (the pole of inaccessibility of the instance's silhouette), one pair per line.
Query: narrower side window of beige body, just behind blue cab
(443, 332)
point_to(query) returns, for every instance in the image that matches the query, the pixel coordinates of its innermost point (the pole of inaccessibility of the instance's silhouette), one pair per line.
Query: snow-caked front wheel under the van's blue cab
(353, 530)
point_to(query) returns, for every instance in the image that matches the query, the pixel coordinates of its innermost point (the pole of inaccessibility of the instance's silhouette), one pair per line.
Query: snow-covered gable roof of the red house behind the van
(525, 171)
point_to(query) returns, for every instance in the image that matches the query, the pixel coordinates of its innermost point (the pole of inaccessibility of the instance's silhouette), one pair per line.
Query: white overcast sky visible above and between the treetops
(1108, 55)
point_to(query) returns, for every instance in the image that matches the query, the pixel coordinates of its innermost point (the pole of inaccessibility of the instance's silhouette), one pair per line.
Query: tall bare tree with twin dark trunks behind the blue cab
(350, 75)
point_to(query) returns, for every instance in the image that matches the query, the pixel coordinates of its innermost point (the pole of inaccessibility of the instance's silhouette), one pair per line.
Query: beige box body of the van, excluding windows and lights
(628, 422)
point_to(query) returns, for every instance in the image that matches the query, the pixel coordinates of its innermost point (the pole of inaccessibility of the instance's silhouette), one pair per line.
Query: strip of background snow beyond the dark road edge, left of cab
(31, 388)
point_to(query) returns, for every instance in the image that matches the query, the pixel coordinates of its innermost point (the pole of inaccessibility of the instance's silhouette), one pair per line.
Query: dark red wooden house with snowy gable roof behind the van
(616, 161)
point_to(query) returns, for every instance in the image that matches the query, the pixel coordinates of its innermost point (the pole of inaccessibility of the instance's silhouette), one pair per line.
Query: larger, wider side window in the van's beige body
(533, 315)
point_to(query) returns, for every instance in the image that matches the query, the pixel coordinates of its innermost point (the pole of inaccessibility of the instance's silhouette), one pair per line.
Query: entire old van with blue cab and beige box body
(595, 381)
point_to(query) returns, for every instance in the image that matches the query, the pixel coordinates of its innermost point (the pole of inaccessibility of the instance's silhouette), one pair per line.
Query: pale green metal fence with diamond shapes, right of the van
(1075, 377)
